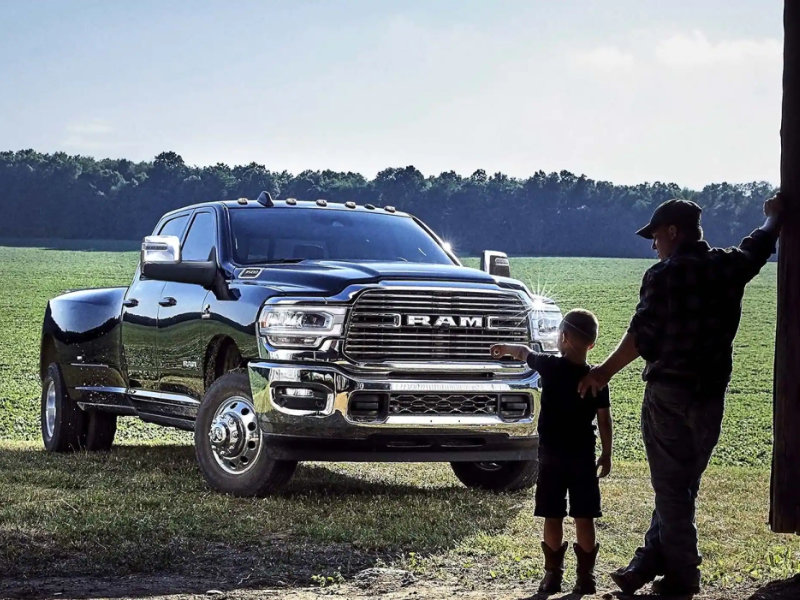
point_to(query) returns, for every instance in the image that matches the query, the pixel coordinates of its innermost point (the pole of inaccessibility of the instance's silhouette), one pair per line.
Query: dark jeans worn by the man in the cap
(680, 427)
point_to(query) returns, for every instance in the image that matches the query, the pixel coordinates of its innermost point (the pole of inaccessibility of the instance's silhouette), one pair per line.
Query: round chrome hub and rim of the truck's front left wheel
(234, 435)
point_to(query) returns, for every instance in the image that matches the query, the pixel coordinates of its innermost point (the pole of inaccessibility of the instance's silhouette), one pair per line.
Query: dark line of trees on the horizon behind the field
(547, 214)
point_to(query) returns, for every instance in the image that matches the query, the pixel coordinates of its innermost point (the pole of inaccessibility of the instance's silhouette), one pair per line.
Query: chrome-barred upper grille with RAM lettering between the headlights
(379, 328)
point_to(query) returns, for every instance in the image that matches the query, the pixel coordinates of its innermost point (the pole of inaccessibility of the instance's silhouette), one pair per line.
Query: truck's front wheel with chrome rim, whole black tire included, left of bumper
(236, 462)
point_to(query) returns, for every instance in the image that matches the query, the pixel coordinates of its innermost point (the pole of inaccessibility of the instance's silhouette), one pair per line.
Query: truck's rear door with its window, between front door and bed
(140, 318)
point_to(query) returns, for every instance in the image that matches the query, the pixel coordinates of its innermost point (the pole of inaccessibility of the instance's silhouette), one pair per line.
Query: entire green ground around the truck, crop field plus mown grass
(143, 507)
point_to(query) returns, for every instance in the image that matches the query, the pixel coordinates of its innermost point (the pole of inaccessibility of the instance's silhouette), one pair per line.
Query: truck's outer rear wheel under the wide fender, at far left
(65, 429)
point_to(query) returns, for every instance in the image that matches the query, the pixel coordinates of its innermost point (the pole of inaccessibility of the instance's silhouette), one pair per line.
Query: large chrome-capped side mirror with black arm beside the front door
(161, 260)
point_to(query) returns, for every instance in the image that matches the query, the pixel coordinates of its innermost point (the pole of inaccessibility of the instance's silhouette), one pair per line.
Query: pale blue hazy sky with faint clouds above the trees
(627, 91)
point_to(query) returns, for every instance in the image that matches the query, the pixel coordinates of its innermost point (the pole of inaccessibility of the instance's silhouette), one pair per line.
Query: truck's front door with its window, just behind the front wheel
(183, 331)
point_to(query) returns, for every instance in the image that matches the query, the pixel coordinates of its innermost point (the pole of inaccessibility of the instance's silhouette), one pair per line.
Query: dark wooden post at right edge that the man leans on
(785, 485)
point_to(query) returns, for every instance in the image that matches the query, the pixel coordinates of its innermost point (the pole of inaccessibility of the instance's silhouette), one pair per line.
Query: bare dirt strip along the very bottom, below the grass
(389, 584)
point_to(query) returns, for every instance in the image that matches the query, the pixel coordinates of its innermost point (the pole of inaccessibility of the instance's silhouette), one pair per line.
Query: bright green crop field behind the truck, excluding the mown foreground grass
(609, 287)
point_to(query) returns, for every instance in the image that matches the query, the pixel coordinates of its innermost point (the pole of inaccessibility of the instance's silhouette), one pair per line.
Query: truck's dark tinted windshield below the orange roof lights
(282, 234)
